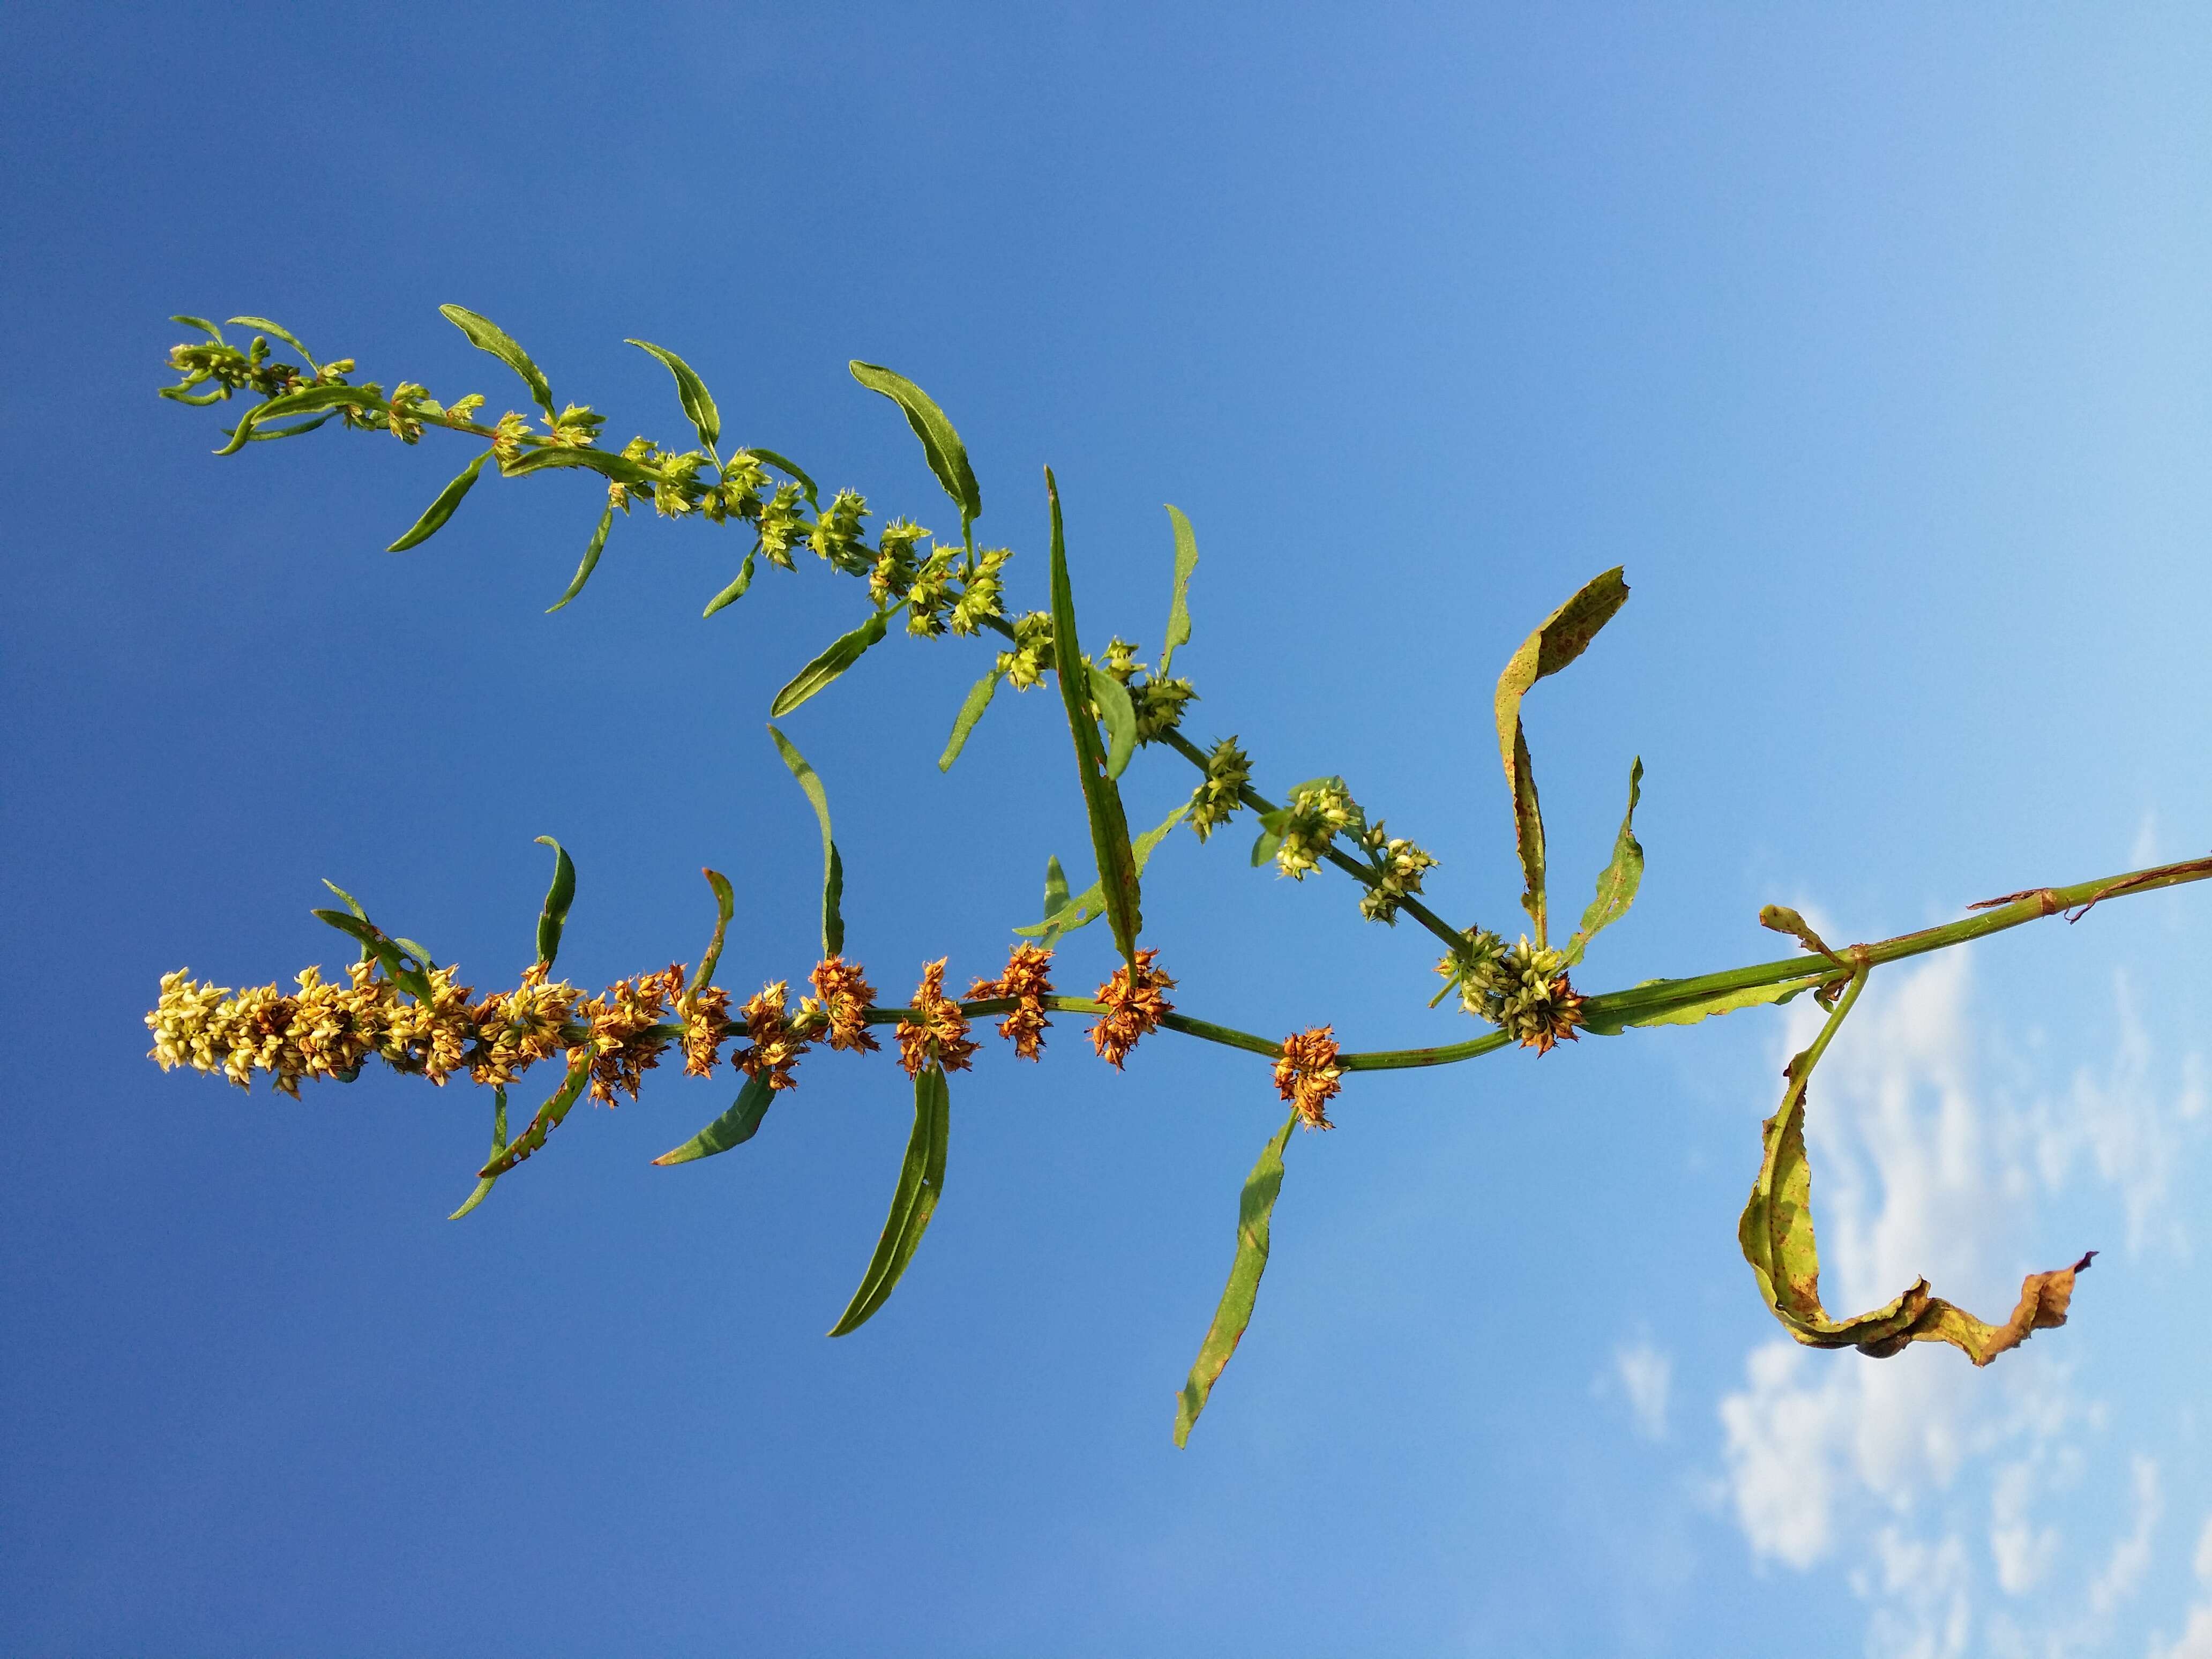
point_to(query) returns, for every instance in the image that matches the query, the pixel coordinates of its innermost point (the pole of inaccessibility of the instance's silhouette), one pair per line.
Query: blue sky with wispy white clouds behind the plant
(1879, 348)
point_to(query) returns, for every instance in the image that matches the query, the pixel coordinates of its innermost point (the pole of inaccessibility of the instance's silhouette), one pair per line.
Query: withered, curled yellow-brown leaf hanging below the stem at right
(1780, 1244)
